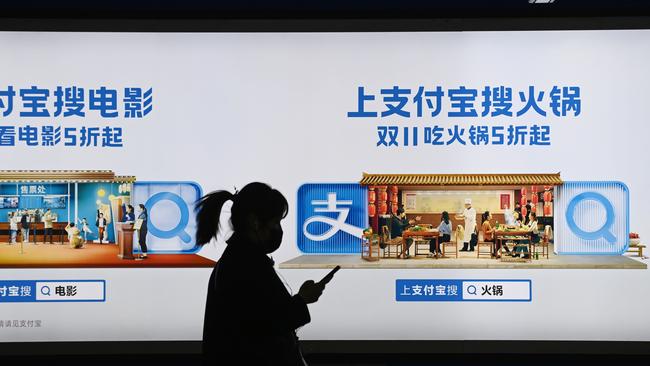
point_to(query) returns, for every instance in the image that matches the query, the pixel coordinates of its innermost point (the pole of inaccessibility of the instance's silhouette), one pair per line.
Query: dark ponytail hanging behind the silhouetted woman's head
(208, 212)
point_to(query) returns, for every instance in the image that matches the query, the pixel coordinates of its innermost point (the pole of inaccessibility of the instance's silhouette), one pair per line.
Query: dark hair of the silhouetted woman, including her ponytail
(257, 199)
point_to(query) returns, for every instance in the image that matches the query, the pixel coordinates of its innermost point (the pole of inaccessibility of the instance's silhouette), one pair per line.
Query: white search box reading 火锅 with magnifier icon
(512, 290)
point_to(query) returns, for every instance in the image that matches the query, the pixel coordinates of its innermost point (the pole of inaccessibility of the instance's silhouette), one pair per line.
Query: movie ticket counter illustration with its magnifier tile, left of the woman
(78, 218)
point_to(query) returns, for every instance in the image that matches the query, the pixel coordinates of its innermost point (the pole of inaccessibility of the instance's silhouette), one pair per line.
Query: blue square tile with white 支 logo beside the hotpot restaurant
(331, 217)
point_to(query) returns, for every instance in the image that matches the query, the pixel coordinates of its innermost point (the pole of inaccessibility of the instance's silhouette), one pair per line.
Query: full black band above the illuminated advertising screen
(329, 15)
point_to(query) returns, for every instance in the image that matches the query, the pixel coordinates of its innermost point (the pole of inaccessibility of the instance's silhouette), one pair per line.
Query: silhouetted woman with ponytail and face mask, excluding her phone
(250, 315)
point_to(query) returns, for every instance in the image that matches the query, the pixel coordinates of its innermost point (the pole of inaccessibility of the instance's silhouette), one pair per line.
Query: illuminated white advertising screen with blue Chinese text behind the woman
(459, 179)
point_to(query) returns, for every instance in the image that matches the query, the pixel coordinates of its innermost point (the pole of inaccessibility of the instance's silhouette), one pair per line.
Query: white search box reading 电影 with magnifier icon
(71, 290)
